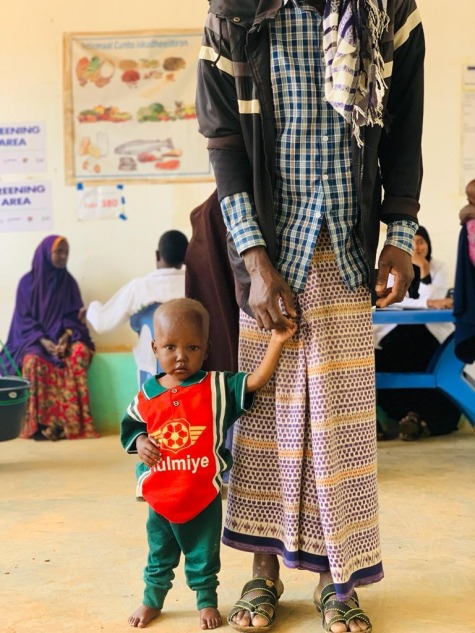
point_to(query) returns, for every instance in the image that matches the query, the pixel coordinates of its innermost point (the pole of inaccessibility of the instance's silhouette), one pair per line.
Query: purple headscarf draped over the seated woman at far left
(47, 303)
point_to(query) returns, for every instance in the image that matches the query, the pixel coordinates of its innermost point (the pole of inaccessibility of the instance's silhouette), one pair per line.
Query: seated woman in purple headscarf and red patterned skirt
(52, 347)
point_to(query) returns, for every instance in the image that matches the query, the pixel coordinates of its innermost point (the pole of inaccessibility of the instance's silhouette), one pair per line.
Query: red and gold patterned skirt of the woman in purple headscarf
(59, 397)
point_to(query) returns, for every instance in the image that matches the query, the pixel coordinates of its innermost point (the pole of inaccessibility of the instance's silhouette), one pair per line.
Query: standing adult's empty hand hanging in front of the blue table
(399, 263)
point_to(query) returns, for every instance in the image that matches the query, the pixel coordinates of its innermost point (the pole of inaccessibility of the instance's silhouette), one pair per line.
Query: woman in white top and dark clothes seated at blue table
(415, 413)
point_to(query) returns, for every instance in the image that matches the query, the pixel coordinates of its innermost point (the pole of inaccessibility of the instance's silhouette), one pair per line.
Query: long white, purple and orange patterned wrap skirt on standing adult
(304, 481)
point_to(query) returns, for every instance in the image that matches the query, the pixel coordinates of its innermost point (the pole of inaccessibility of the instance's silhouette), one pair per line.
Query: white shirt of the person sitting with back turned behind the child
(158, 286)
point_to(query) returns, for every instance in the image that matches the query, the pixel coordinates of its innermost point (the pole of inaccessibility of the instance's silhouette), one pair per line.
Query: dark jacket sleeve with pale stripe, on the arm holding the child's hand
(217, 110)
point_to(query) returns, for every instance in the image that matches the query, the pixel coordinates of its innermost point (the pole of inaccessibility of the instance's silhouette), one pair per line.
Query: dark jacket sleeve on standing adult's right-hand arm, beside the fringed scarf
(400, 145)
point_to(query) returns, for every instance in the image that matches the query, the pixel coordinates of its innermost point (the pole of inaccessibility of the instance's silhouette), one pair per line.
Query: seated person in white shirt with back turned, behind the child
(166, 282)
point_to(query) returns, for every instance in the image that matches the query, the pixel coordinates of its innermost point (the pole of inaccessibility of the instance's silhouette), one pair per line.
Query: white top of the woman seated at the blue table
(437, 289)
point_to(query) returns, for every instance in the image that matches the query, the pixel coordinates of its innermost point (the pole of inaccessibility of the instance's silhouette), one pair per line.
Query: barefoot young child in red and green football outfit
(177, 424)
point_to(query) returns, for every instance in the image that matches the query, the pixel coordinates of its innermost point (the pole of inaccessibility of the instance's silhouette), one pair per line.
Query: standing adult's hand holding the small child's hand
(267, 288)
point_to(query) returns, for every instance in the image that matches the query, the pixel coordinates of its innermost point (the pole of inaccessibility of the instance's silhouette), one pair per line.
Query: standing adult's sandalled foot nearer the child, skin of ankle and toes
(264, 566)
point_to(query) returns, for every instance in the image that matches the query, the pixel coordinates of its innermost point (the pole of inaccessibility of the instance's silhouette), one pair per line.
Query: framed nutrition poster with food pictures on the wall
(130, 108)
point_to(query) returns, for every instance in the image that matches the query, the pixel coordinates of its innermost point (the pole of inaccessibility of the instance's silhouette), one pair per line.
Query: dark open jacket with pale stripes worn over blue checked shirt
(235, 65)
